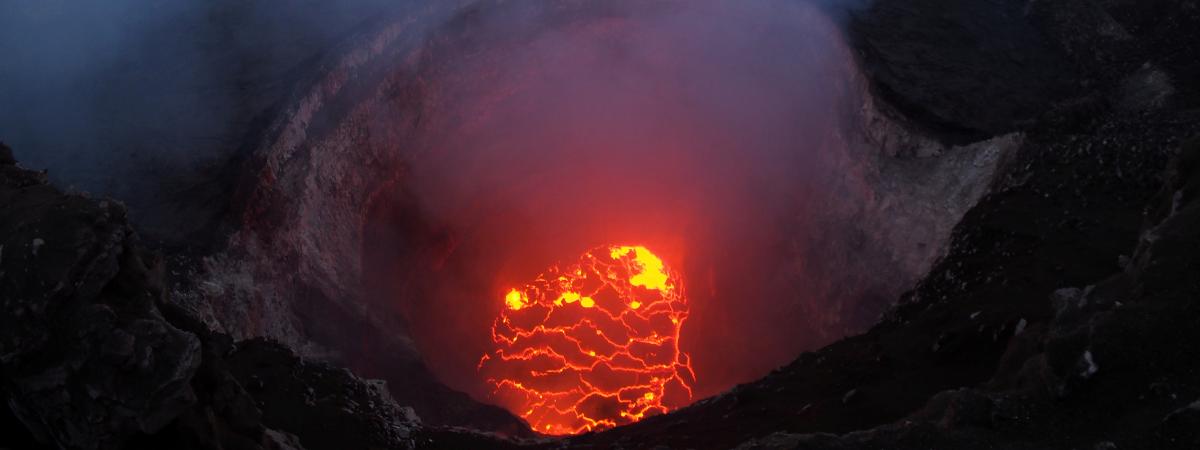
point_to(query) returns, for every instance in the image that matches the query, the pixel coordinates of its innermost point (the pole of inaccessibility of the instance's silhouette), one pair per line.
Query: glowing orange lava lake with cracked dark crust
(592, 346)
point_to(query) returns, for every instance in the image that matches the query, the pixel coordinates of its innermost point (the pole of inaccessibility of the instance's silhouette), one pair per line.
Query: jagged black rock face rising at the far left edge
(86, 356)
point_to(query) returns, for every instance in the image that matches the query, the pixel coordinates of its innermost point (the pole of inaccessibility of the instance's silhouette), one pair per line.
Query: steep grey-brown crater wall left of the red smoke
(293, 273)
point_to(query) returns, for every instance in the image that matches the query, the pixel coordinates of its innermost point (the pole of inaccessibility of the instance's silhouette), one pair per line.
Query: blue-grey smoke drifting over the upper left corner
(148, 101)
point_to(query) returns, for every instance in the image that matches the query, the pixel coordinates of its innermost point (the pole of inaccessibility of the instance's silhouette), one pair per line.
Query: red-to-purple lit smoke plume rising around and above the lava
(709, 131)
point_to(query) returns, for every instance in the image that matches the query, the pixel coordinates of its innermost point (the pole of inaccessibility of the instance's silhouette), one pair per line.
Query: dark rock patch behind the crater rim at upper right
(964, 70)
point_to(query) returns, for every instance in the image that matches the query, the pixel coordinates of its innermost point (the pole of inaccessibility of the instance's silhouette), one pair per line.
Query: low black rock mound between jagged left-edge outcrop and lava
(261, 395)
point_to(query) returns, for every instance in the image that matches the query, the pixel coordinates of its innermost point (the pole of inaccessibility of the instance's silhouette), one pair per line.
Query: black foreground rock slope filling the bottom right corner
(1117, 368)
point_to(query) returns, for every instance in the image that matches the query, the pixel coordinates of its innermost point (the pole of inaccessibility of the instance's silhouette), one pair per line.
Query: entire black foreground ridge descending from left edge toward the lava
(95, 356)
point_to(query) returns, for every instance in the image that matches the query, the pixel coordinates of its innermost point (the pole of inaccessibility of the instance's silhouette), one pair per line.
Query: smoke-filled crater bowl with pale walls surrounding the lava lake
(419, 179)
